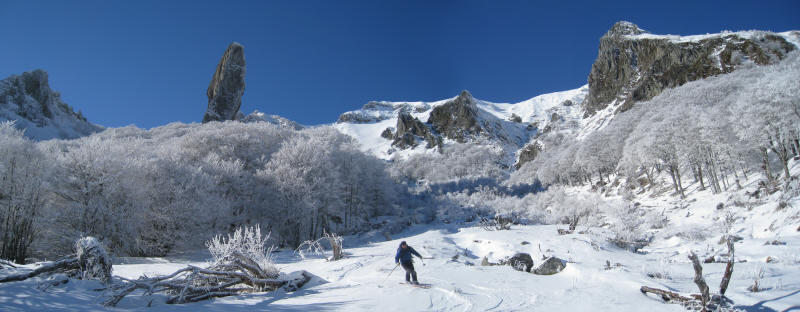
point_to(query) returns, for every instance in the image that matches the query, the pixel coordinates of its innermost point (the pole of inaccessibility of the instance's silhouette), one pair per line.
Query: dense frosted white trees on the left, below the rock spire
(146, 192)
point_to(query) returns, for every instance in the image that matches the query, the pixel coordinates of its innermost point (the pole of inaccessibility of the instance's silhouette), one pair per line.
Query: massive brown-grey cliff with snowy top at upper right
(633, 65)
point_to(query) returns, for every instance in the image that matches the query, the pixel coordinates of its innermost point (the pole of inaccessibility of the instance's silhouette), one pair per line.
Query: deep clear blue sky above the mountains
(149, 63)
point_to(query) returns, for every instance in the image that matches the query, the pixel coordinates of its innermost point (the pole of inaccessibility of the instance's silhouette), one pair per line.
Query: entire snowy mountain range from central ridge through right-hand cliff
(632, 65)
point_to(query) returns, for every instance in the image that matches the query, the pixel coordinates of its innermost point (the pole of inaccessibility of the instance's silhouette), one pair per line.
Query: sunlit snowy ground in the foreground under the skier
(460, 283)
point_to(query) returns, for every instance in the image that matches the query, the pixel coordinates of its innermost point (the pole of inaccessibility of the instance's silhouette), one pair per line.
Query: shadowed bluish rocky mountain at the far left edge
(28, 100)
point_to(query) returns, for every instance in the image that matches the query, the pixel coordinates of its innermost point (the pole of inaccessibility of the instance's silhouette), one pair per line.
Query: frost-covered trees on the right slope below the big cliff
(716, 131)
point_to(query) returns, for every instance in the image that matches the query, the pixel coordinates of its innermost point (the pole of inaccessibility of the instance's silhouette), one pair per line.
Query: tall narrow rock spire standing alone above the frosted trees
(227, 86)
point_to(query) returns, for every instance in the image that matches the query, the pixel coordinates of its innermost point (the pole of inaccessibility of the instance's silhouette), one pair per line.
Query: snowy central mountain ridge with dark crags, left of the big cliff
(507, 125)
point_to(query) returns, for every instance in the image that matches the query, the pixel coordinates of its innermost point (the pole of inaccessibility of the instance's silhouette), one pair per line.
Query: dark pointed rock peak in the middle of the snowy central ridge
(457, 119)
